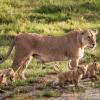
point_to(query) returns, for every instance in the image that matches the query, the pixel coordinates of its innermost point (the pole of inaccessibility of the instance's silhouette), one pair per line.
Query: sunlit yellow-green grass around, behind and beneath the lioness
(54, 17)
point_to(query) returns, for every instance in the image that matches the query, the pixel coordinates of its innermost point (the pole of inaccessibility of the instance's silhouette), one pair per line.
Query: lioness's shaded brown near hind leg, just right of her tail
(21, 53)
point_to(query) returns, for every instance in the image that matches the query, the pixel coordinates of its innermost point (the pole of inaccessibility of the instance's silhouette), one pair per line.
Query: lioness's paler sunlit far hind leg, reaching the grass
(21, 71)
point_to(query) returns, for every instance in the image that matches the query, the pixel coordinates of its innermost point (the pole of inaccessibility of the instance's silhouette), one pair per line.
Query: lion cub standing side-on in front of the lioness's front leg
(73, 76)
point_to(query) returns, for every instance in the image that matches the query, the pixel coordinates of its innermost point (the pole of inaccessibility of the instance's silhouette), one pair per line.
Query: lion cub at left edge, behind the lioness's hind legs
(7, 73)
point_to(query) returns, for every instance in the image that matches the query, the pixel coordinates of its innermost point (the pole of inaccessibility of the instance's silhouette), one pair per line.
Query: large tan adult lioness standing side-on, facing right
(50, 48)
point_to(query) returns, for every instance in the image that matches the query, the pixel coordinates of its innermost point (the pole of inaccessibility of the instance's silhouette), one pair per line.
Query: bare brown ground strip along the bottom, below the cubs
(42, 91)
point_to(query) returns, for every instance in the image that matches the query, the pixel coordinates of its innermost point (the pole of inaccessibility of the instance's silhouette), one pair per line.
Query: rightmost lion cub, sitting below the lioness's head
(91, 71)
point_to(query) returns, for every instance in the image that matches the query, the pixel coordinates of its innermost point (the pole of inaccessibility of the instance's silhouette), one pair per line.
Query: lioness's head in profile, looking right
(88, 38)
